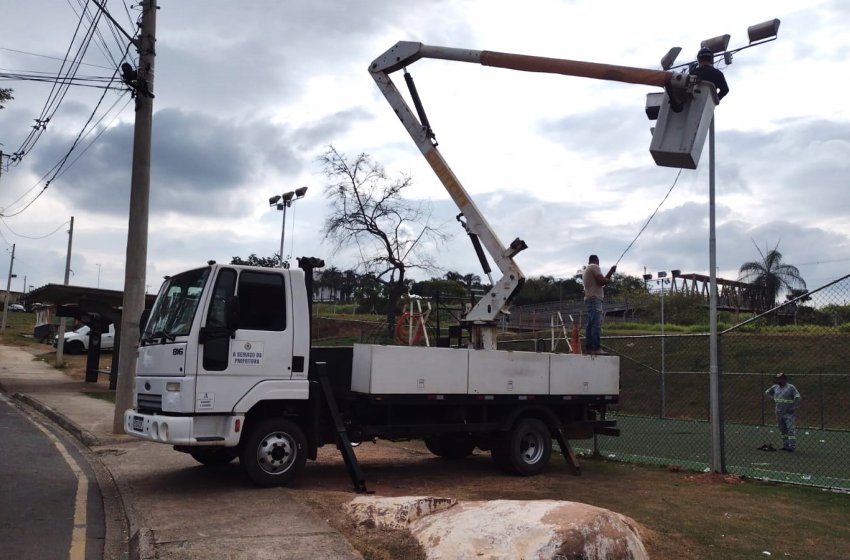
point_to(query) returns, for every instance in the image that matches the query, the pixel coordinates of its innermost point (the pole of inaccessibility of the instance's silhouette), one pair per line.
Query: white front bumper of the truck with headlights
(211, 430)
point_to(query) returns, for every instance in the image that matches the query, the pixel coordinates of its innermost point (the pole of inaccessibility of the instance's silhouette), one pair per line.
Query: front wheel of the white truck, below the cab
(274, 452)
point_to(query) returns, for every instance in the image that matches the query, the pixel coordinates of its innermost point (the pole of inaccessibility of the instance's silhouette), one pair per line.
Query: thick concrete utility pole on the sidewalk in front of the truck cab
(137, 229)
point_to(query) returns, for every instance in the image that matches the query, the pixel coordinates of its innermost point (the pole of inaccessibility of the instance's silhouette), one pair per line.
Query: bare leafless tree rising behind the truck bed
(368, 210)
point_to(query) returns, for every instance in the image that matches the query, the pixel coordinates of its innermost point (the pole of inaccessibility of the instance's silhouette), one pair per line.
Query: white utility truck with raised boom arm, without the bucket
(226, 367)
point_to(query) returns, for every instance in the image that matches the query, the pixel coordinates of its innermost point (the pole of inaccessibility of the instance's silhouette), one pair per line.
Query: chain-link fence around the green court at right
(663, 412)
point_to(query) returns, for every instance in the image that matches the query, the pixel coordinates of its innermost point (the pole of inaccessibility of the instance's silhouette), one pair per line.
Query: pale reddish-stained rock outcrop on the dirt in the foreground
(506, 529)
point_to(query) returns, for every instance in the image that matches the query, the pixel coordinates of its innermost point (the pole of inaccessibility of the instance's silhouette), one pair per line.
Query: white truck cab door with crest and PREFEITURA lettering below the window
(262, 346)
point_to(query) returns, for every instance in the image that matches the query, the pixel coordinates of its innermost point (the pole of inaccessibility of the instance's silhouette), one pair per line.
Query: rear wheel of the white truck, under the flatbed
(526, 448)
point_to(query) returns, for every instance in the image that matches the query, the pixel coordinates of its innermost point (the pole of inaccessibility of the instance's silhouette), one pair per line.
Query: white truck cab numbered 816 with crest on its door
(218, 340)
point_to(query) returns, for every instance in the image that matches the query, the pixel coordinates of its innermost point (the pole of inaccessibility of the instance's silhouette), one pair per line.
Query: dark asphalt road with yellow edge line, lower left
(50, 503)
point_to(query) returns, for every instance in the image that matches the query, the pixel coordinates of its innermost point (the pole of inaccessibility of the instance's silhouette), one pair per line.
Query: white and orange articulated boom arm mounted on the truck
(482, 317)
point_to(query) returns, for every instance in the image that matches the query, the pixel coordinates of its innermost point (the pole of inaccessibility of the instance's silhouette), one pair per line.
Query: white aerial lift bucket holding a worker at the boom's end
(678, 138)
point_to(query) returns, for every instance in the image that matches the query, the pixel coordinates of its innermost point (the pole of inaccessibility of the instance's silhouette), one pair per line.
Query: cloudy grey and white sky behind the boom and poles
(249, 94)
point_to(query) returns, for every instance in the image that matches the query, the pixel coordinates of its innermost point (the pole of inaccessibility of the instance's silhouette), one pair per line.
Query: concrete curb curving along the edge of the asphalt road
(141, 543)
